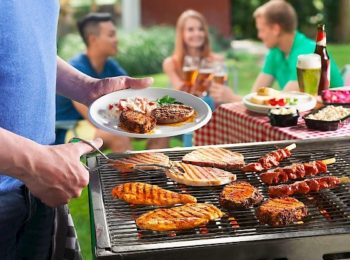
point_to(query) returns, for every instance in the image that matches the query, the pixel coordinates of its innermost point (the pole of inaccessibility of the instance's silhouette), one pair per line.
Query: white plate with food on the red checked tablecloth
(268, 98)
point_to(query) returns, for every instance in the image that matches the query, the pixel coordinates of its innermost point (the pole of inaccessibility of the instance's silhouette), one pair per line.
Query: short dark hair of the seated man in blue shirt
(90, 24)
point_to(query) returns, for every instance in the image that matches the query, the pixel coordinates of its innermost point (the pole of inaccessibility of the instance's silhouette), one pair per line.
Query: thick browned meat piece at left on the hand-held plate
(136, 122)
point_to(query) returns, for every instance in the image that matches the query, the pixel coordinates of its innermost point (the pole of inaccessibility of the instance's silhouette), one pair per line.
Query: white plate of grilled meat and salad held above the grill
(149, 113)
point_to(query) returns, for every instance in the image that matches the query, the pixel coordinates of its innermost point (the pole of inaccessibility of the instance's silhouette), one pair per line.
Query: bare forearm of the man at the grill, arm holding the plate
(72, 83)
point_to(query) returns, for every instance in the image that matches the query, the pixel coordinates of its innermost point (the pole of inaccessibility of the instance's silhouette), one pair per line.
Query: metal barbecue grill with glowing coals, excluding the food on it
(324, 234)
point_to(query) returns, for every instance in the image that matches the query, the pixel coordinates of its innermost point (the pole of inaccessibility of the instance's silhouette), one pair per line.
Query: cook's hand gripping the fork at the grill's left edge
(55, 174)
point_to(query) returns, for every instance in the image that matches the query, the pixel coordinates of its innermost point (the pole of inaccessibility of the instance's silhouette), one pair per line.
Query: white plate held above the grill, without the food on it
(99, 116)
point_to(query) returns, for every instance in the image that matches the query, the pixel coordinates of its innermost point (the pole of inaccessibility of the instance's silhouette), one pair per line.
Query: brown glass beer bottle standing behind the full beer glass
(321, 50)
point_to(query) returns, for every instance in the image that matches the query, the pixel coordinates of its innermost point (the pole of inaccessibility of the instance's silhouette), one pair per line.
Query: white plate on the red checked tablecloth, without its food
(305, 102)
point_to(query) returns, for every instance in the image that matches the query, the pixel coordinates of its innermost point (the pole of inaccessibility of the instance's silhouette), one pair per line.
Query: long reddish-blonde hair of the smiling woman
(180, 47)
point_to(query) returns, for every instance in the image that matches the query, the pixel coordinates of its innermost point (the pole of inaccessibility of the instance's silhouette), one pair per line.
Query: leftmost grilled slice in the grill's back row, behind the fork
(128, 164)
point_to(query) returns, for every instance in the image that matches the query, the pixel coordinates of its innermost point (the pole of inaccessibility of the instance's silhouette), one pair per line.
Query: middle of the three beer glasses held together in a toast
(205, 75)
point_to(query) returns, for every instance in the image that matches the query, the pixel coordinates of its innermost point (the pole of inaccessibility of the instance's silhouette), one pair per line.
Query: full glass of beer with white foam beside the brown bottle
(309, 73)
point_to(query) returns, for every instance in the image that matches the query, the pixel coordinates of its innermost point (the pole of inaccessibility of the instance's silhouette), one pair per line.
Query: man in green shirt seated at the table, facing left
(276, 23)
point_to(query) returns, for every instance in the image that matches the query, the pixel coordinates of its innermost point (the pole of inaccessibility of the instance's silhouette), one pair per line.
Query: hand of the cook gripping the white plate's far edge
(104, 86)
